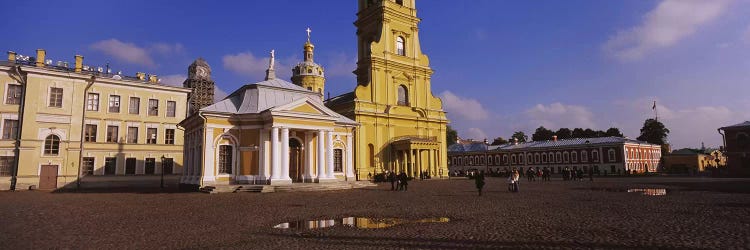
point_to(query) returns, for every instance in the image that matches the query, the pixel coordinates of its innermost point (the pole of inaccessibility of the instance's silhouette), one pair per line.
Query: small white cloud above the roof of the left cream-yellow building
(127, 52)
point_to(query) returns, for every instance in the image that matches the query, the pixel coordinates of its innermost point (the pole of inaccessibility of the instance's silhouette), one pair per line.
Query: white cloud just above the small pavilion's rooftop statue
(247, 64)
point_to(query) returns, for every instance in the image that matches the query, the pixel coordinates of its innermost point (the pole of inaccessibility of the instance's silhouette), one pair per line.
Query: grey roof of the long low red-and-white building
(556, 144)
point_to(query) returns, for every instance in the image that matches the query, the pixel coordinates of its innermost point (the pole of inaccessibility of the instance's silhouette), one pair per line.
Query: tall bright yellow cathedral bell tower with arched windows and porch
(403, 125)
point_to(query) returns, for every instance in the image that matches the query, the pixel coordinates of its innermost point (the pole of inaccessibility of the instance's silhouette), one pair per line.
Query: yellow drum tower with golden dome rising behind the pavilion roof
(308, 74)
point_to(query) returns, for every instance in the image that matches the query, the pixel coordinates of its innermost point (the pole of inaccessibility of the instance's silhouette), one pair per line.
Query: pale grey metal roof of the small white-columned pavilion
(258, 97)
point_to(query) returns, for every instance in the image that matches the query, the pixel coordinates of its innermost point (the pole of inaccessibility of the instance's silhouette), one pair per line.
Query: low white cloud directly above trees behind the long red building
(557, 115)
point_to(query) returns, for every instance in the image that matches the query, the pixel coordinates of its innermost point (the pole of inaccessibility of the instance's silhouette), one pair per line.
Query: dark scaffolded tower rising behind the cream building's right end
(199, 80)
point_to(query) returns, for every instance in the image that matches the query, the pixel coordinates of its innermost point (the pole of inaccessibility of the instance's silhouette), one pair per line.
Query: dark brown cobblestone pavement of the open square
(694, 214)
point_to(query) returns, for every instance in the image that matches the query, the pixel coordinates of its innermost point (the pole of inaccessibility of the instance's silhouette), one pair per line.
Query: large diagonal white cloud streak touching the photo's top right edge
(664, 26)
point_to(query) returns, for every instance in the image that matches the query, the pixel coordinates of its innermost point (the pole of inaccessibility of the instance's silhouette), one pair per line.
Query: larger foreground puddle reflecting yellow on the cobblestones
(356, 222)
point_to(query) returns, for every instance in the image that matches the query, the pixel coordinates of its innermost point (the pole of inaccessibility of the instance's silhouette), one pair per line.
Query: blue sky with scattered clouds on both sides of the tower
(500, 66)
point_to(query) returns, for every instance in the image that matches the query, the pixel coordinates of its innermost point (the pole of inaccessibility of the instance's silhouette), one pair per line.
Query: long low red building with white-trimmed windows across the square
(605, 155)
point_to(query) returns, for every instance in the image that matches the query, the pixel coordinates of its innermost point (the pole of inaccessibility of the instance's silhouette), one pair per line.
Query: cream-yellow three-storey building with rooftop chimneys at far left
(126, 125)
